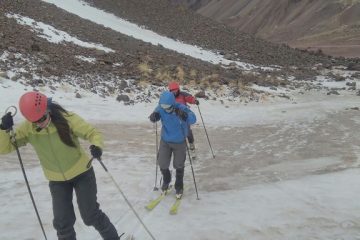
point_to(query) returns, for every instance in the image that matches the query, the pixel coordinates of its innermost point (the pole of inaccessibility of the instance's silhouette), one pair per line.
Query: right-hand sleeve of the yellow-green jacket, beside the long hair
(84, 130)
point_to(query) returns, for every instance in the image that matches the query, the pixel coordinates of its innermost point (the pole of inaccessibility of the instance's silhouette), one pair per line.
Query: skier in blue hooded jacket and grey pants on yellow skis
(175, 119)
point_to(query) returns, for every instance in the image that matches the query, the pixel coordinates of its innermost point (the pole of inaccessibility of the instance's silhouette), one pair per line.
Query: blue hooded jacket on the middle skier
(174, 129)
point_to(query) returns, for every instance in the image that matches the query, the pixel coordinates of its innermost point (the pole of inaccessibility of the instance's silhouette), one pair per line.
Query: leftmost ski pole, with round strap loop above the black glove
(14, 142)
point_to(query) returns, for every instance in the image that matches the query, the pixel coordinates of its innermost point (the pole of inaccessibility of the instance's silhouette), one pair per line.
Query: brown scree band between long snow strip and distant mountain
(179, 23)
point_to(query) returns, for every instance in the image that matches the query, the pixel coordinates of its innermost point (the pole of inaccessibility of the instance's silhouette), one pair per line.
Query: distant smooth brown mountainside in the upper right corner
(330, 25)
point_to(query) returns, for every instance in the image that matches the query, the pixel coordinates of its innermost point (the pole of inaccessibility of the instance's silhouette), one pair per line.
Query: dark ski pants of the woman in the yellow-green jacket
(63, 209)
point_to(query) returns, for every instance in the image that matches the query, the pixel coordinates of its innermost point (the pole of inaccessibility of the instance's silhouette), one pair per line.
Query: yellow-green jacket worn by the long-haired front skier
(59, 161)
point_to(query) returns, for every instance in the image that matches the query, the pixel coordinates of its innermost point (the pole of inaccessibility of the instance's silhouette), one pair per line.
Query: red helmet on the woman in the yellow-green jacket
(33, 105)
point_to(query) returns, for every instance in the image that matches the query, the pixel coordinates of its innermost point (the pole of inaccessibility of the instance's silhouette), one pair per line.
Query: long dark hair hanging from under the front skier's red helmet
(57, 118)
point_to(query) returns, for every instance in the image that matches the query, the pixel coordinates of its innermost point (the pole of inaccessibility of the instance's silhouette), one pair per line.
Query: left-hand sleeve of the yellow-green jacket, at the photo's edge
(6, 145)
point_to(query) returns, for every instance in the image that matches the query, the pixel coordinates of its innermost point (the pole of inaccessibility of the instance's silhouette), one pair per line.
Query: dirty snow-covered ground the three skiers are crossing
(283, 169)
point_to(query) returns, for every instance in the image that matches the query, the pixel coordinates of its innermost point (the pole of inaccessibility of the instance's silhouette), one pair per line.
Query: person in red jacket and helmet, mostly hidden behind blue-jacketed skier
(184, 98)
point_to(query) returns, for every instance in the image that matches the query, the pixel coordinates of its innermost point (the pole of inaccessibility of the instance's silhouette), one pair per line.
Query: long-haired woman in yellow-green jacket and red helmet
(54, 134)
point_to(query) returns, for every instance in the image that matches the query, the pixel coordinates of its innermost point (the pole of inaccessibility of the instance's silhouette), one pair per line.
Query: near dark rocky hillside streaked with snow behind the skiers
(126, 66)
